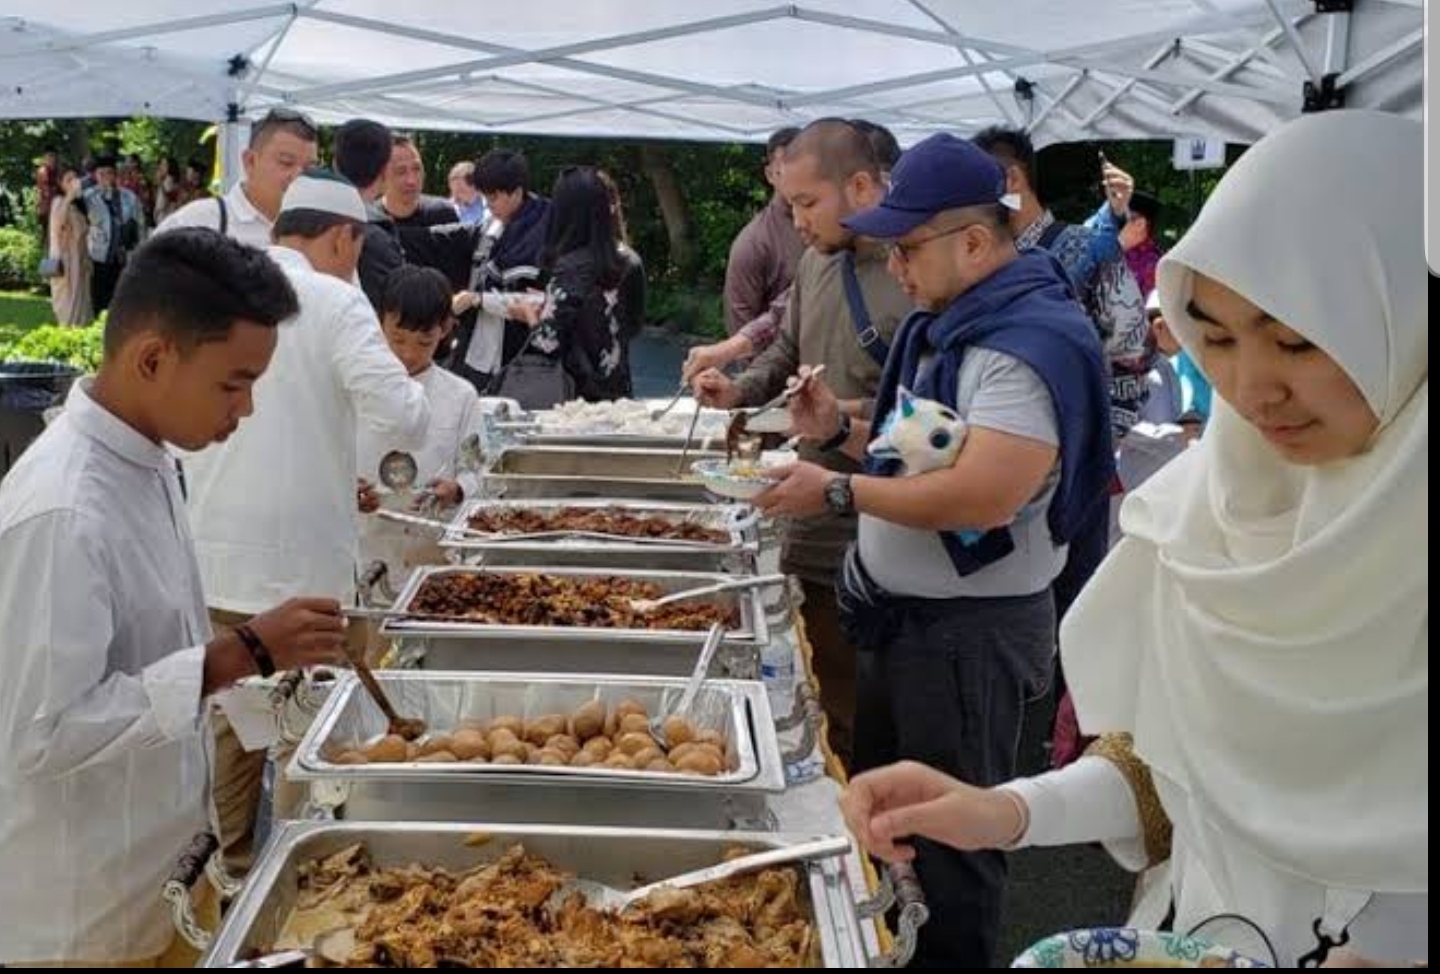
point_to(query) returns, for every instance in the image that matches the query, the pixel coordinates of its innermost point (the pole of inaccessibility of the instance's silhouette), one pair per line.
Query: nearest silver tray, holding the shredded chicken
(613, 857)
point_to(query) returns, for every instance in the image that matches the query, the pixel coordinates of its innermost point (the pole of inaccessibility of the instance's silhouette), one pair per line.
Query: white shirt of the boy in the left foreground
(103, 632)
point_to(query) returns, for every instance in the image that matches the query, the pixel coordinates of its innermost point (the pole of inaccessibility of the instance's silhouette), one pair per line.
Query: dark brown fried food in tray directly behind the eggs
(548, 600)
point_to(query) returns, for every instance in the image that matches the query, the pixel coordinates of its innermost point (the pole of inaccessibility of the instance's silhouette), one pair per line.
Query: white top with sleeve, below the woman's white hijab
(1212, 875)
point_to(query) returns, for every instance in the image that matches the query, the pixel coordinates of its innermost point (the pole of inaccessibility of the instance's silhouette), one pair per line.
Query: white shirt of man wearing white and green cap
(274, 506)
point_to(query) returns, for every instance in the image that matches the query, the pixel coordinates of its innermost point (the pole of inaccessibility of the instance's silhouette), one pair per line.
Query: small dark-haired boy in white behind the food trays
(415, 316)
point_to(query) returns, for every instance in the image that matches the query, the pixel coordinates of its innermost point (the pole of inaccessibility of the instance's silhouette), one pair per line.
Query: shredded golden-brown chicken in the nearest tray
(500, 916)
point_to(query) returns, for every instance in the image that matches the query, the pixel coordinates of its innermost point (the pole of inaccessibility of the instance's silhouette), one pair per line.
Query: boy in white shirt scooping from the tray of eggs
(109, 653)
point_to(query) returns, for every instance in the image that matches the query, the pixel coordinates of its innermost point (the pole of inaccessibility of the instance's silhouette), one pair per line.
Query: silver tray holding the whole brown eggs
(349, 720)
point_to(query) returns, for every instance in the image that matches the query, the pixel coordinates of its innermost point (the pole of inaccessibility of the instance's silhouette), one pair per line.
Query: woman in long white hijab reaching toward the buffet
(1262, 633)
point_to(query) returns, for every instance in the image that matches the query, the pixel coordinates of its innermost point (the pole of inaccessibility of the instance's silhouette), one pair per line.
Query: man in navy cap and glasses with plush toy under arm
(948, 590)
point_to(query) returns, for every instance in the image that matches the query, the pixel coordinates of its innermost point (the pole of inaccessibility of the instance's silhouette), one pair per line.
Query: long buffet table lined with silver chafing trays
(783, 783)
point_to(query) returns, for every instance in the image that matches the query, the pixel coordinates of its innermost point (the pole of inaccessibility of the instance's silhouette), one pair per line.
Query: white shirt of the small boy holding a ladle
(456, 414)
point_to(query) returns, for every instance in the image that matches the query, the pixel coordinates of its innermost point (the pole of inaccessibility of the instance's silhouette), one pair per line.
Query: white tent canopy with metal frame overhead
(724, 70)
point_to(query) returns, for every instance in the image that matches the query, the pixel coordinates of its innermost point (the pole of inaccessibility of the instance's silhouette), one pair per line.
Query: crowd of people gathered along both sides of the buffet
(1246, 669)
